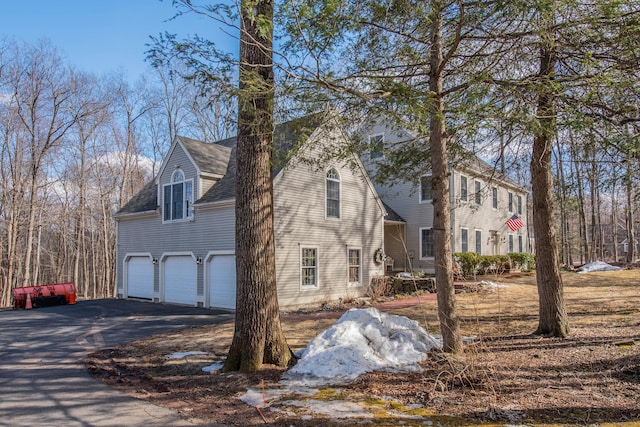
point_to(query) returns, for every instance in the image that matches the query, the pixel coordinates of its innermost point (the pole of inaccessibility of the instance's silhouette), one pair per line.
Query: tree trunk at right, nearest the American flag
(553, 319)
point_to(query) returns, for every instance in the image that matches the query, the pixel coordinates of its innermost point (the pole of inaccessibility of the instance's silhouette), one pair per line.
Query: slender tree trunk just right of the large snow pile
(447, 313)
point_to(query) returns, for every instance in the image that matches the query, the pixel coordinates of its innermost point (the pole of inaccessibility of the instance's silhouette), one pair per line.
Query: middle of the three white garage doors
(180, 280)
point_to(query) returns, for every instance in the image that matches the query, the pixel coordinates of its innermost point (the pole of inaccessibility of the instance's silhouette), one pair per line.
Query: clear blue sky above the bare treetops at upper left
(101, 36)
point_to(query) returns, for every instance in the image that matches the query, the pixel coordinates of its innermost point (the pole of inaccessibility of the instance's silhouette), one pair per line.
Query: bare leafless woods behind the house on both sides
(76, 147)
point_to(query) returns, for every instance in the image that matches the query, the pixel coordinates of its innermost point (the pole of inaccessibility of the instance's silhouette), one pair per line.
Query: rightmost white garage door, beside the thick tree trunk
(222, 281)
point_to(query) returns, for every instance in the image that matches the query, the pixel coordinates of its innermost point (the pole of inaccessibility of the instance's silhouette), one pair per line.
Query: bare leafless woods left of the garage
(75, 148)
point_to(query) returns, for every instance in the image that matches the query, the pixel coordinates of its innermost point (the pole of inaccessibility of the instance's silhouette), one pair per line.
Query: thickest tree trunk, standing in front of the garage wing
(258, 337)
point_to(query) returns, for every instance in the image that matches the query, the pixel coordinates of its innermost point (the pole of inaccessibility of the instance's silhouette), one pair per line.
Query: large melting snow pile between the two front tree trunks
(361, 341)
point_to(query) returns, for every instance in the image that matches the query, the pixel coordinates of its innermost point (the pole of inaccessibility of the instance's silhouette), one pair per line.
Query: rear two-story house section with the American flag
(488, 209)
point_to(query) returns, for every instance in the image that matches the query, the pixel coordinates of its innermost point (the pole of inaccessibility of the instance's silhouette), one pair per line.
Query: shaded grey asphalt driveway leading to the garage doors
(43, 381)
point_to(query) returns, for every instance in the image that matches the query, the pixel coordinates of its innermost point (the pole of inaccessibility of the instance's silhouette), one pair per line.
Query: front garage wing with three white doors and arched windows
(176, 238)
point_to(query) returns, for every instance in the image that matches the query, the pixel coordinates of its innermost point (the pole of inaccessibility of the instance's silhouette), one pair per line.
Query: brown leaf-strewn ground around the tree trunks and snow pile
(505, 375)
